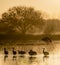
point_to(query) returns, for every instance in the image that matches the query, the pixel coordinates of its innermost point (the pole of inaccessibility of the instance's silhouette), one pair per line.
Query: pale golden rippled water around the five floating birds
(39, 59)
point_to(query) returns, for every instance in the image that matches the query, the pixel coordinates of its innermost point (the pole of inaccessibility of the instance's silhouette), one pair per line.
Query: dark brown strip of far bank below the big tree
(28, 37)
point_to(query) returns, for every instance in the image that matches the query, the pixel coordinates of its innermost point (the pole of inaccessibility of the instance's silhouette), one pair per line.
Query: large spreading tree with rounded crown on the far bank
(22, 19)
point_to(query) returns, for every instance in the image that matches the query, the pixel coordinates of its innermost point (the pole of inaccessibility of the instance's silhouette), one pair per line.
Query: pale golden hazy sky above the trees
(51, 7)
